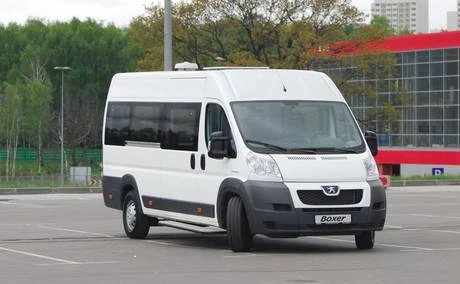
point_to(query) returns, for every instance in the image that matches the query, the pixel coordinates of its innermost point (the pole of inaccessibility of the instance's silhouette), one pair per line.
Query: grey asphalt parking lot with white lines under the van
(73, 238)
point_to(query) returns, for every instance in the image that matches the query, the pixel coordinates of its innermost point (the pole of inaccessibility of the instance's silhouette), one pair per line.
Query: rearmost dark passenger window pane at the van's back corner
(117, 124)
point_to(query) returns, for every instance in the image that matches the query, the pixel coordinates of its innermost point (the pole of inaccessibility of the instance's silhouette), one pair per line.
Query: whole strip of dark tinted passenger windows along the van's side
(173, 125)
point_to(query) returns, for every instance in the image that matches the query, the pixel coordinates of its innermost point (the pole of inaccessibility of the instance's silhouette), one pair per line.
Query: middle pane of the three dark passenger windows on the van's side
(145, 123)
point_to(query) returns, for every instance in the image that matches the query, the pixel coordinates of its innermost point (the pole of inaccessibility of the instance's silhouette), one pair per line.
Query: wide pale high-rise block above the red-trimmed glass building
(403, 15)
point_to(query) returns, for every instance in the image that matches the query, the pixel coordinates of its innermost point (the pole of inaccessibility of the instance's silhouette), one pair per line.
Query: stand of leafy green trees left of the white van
(29, 52)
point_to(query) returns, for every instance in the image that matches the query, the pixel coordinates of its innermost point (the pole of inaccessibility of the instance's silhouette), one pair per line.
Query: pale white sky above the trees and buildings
(121, 12)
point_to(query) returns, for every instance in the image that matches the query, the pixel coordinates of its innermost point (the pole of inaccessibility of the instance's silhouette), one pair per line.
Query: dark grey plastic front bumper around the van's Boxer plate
(271, 212)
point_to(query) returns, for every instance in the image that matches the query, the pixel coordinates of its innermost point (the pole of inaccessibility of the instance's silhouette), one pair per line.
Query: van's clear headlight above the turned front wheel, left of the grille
(262, 167)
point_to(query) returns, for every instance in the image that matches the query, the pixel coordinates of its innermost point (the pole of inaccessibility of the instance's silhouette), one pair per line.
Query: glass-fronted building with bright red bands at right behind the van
(427, 130)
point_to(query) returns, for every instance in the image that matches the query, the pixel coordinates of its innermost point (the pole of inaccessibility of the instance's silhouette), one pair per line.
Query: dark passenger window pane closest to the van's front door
(181, 126)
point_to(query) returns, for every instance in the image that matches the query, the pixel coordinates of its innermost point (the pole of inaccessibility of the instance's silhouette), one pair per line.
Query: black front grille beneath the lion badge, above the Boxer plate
(317, 197)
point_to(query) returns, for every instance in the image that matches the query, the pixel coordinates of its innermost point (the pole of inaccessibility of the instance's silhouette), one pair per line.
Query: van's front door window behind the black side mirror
(216, 121)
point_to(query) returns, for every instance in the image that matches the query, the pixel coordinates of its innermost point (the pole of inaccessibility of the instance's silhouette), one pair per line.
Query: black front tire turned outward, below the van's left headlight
(238, 232)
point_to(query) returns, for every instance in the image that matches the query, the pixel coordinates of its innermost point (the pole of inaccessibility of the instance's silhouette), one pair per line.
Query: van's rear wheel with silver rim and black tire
(135, 223)
